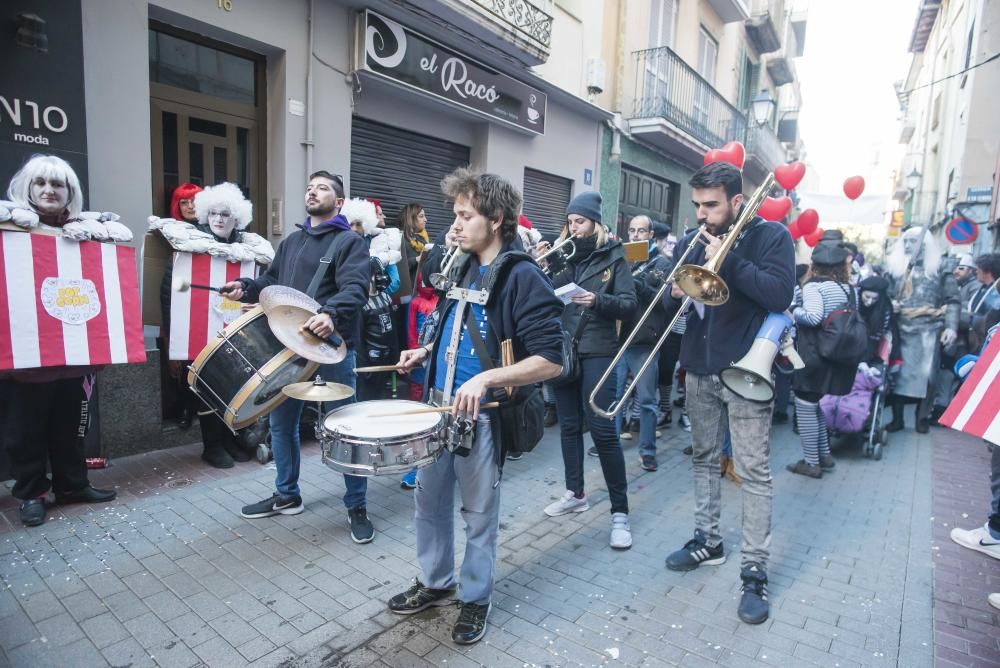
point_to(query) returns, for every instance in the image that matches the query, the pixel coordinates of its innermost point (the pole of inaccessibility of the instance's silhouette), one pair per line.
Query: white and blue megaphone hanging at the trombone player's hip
(750, 378)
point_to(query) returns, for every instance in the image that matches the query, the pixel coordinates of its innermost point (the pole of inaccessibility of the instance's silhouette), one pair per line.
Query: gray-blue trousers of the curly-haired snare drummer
(479, 486)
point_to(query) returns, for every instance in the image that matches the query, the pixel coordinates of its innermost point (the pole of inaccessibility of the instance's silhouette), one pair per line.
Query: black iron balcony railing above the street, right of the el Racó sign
(668, 87)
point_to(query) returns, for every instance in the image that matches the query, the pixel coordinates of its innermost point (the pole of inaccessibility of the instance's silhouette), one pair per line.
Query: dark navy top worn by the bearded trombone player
(760, 273)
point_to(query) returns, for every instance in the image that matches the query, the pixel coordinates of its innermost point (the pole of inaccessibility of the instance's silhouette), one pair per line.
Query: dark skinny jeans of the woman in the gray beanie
(573, 406)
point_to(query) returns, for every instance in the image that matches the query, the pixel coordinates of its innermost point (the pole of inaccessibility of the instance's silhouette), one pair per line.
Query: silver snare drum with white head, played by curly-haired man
(356, 444)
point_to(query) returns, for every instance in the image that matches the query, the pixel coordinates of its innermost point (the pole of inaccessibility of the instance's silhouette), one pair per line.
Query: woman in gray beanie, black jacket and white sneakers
(599, 268)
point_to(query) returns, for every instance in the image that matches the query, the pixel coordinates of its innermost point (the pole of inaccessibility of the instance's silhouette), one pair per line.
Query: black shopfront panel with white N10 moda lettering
(42, 105)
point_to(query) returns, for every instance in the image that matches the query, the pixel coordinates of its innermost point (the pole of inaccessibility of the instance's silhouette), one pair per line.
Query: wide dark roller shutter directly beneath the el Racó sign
(397, 167)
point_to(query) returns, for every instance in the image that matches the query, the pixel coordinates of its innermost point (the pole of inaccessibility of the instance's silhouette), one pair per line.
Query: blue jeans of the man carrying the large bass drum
(285, 444)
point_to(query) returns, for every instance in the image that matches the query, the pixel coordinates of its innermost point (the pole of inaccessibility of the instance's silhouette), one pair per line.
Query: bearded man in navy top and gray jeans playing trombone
(760, 273)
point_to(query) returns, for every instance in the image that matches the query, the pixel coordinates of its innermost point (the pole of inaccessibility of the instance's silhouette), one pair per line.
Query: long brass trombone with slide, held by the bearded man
(699, 283)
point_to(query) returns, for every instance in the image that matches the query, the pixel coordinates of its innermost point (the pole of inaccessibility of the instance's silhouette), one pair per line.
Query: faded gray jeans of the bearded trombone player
(712, 409)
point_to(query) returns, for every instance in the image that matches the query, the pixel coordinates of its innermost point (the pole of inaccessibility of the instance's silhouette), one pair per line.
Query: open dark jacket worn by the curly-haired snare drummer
(521, 307)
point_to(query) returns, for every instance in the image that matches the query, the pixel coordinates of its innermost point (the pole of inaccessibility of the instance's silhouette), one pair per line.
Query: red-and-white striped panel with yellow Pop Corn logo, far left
(67, 303)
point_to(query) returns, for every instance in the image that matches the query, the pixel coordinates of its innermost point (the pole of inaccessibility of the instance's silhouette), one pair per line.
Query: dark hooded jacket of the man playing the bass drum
(343, 291)
